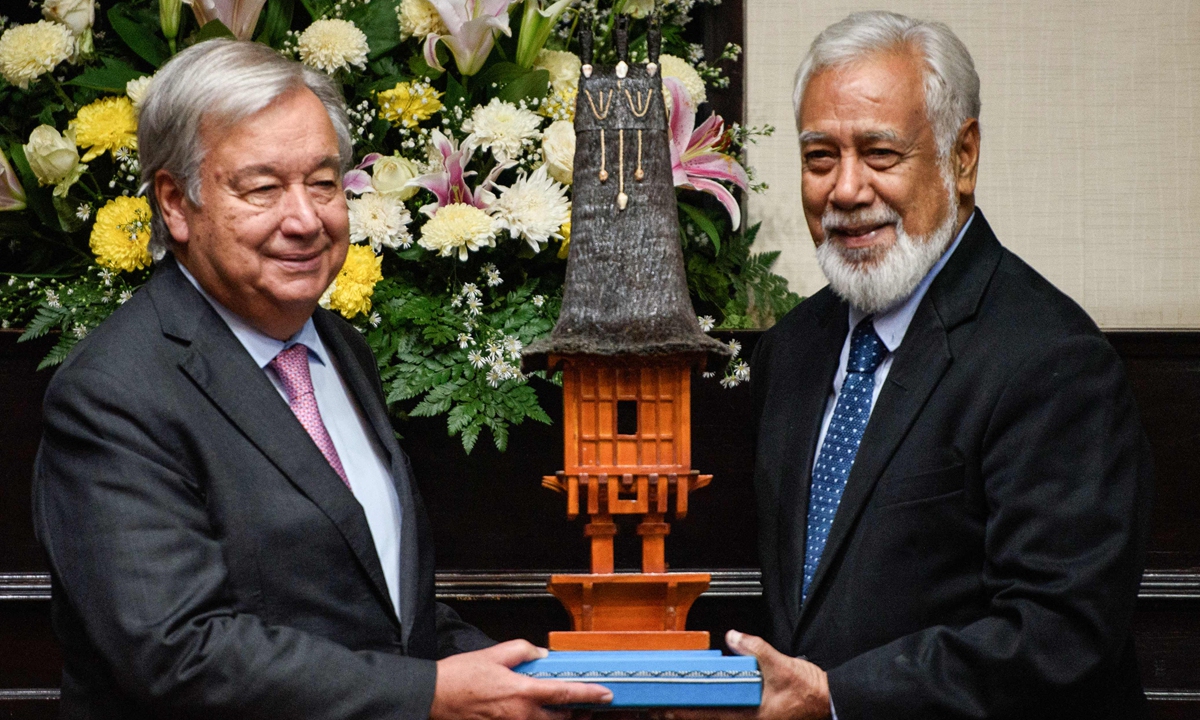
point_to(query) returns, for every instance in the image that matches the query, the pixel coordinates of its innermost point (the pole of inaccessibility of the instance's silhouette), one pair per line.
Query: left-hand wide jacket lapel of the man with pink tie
(229, 376)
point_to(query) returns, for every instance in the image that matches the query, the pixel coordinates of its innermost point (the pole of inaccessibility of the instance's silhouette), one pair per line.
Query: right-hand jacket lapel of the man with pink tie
(367, 394)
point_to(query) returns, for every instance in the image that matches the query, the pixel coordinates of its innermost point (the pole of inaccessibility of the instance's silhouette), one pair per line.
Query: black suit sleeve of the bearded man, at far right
(1066, 481)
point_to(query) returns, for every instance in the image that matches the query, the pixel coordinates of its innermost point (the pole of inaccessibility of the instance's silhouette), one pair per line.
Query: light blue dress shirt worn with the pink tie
(363, 459)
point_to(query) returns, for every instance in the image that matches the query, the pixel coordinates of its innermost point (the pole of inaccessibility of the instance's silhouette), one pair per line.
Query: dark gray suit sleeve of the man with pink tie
(141, 561)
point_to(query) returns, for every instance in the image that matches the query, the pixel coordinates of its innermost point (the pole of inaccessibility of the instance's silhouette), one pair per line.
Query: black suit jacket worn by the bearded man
(986, 556)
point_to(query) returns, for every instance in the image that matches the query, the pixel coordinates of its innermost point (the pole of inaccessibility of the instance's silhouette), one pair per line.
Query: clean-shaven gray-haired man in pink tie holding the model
(232, 530)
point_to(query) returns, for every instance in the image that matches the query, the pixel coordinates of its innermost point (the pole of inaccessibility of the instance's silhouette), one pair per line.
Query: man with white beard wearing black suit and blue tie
(953, 483)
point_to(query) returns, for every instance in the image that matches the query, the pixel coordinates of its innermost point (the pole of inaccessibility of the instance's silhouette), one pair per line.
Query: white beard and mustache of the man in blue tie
(875, 280)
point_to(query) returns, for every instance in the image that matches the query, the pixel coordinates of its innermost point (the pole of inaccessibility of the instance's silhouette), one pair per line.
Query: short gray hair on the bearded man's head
(952, 86)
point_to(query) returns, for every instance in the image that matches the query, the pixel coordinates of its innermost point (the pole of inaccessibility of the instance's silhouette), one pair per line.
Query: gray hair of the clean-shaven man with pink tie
(225, 81)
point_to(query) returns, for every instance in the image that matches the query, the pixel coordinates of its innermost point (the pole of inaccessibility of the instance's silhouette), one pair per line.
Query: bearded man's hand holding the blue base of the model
(793, 689)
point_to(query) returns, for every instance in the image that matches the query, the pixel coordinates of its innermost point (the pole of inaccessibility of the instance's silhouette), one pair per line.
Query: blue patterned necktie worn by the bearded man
(841, 447)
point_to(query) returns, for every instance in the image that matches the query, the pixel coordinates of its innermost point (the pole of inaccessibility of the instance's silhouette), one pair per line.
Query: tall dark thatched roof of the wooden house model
(627, 293)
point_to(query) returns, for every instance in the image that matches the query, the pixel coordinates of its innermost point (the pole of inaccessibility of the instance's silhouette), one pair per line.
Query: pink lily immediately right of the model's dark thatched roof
(695, 160)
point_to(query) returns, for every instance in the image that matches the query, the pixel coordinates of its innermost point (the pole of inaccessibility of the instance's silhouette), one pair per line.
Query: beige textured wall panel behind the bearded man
(1091, 142)
